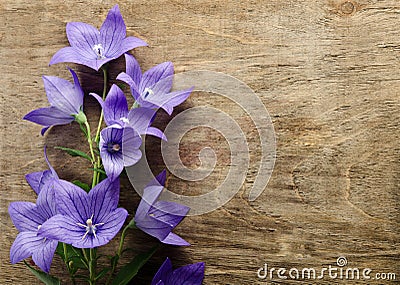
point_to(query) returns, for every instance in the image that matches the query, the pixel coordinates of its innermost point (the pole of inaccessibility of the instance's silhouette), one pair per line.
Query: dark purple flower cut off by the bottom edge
(191, 274)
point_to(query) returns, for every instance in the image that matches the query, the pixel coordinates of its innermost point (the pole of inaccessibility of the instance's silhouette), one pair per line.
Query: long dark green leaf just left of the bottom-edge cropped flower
(132, 268)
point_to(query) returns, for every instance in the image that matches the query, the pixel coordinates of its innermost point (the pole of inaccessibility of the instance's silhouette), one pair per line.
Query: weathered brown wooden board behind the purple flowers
(328, 71)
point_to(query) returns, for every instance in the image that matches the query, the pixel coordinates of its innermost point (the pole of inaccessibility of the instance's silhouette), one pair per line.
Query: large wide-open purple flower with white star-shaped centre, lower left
(85, 220)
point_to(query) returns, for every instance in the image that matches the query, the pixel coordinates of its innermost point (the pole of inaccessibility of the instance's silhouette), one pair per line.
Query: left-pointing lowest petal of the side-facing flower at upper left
(49, 116)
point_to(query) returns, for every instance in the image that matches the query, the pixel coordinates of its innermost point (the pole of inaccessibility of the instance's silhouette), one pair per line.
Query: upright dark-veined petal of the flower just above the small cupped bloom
(115, 106)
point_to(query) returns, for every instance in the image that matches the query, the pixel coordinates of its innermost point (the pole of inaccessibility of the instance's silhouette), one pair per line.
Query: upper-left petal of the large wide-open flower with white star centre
(72, 201)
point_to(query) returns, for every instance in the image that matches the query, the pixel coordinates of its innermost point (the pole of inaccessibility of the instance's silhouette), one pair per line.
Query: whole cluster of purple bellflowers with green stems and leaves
(74, 219)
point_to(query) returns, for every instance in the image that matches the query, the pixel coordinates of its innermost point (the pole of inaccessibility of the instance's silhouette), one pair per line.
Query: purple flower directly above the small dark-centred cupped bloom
(117, 114)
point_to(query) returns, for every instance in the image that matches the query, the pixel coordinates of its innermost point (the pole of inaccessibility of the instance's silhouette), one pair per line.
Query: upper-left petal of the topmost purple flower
(83, 38)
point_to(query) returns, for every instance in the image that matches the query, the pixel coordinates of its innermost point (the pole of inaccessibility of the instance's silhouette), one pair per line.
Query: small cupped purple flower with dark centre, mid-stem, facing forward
(119, 148)
